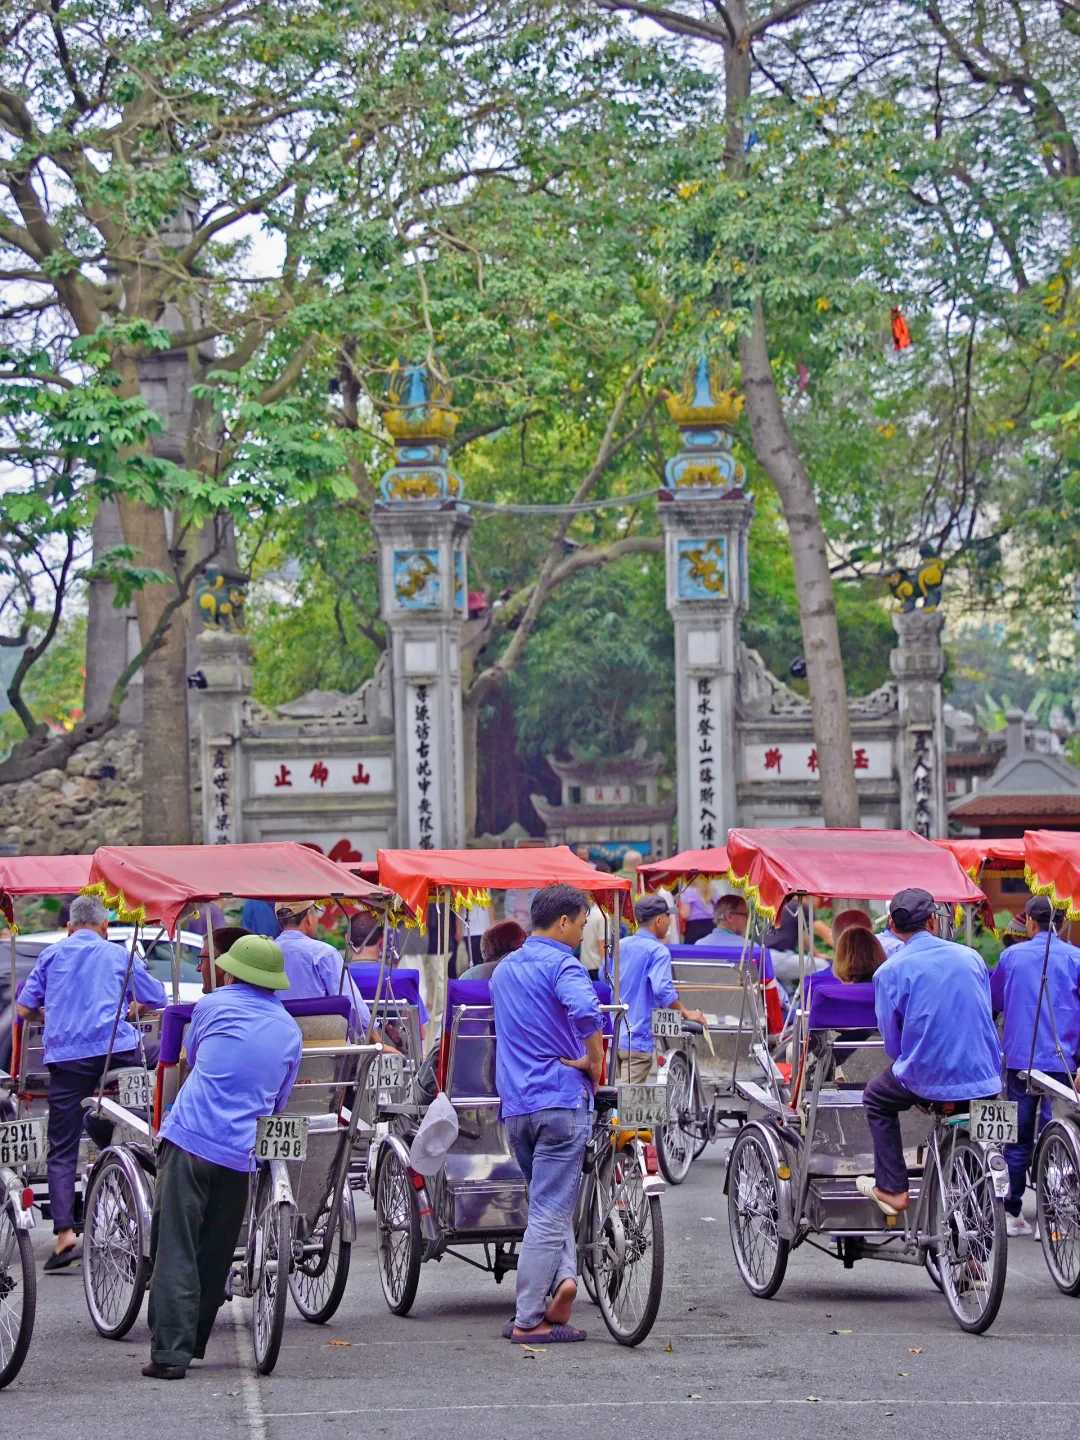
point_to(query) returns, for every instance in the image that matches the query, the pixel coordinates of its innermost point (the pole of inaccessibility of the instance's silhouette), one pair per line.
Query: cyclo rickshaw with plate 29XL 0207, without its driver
(793, 1167)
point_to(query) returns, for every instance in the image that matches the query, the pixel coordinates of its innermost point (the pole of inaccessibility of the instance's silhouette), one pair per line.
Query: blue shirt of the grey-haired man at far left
(80, 981)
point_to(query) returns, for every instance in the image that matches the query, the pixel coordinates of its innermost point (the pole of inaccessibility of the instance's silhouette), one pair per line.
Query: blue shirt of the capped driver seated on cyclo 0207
(932, 1002)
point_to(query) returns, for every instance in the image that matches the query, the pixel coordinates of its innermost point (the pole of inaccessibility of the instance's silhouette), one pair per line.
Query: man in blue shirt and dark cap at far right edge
(1016, 986)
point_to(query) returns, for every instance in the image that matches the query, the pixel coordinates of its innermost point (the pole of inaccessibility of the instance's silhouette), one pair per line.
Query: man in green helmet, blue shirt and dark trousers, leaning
(244, 1049)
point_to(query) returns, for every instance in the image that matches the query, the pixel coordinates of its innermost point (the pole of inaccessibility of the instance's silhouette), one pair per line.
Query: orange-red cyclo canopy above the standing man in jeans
(415, 873)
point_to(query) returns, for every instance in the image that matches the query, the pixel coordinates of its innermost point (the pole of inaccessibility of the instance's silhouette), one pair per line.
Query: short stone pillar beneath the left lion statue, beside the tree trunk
(224, 680)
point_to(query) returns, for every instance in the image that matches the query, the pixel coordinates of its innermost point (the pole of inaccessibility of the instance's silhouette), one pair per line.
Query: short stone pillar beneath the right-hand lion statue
(919, 665)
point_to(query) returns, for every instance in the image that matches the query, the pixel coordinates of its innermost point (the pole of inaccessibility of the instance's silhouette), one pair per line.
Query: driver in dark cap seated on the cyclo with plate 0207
(934, 1009)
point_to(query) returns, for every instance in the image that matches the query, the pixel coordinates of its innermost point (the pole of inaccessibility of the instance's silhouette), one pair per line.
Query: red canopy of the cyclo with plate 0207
(862, 865)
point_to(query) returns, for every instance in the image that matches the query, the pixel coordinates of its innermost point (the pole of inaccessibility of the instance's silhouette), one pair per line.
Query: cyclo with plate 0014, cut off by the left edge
(22, 1125)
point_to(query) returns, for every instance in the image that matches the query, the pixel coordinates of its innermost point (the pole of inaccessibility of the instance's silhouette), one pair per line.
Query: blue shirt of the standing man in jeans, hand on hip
(545, 1010)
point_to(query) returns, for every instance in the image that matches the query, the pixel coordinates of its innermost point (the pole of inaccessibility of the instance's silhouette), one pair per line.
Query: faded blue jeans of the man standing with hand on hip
(549, 1147)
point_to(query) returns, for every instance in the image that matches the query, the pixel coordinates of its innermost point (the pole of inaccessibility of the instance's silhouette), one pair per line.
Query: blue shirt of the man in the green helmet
(244, 1048)
